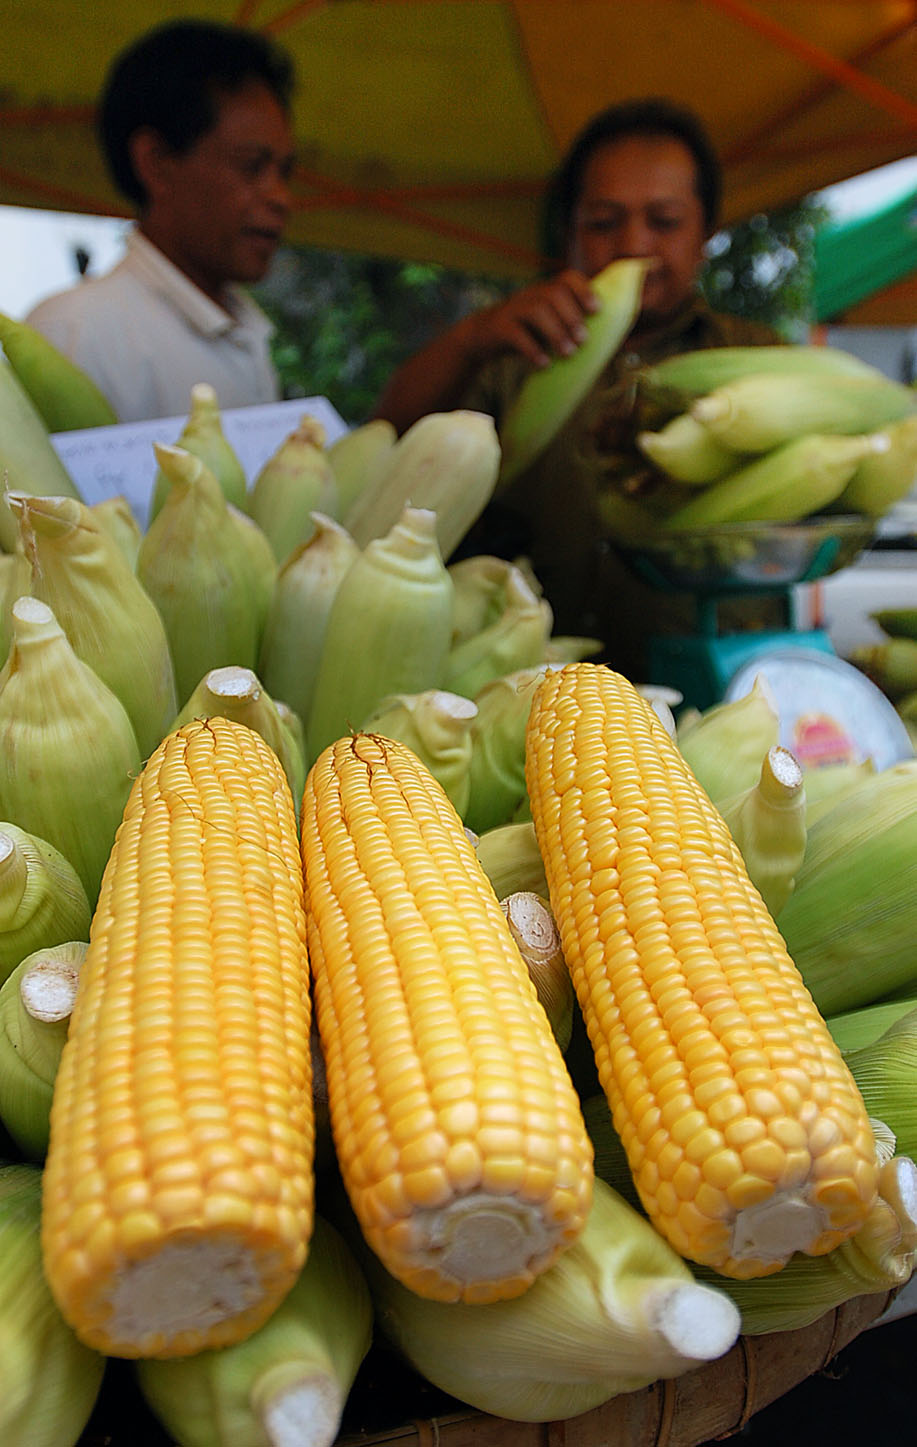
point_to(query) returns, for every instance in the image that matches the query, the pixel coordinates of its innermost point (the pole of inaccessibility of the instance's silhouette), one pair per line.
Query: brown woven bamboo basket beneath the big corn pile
(712, 1401)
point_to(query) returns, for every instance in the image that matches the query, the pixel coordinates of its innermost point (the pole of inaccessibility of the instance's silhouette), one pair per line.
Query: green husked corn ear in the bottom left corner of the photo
(51, 1381)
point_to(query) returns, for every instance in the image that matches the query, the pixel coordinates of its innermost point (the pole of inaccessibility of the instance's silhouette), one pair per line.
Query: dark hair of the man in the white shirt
(173, 79)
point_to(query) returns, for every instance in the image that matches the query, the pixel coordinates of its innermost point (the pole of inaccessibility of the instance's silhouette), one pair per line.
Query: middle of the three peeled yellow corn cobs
(459, 1135)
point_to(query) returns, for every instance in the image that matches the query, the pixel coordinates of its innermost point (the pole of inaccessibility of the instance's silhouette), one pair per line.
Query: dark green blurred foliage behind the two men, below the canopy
(346, 322)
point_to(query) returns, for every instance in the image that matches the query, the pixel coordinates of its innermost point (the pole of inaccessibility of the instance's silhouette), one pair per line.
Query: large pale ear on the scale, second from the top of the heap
(759, 413)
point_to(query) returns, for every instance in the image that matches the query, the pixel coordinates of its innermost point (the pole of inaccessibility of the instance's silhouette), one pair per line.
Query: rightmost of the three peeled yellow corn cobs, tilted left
(747, 1137)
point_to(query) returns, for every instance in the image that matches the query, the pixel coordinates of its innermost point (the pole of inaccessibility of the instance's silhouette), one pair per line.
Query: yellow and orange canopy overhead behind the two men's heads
(427, 128)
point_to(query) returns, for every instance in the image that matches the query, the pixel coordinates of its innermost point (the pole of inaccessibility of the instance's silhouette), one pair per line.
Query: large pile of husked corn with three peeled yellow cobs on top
(375, 963)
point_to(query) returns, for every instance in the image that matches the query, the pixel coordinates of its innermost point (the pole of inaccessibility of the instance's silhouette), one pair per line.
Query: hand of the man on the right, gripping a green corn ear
(540, 322)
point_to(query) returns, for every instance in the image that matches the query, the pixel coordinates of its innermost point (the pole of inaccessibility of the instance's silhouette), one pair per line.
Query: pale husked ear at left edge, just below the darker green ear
(28, 459)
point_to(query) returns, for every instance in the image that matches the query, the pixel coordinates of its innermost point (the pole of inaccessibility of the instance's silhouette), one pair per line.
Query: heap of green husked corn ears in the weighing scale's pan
(773, 435)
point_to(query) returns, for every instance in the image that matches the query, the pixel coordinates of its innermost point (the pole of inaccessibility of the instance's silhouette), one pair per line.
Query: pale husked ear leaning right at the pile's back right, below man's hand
(446, 462)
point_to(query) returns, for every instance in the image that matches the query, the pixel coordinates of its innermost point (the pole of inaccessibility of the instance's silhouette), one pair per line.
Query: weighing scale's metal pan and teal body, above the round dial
(734, 561)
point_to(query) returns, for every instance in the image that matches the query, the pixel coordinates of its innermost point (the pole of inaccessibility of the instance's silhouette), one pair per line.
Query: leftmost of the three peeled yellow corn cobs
(179, 1186)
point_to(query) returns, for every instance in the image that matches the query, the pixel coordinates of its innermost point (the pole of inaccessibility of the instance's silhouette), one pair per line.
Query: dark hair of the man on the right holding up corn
(653, 118)
